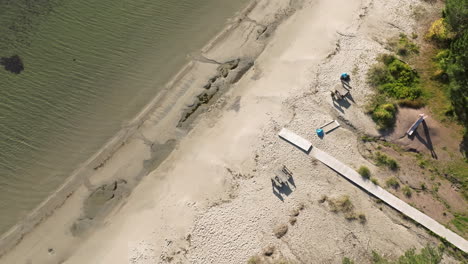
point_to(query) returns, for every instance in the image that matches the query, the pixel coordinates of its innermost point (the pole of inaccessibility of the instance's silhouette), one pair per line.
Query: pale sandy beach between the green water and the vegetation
(192, 183)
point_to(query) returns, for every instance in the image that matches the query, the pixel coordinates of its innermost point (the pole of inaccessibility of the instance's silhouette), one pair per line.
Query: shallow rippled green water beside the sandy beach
(89, 66)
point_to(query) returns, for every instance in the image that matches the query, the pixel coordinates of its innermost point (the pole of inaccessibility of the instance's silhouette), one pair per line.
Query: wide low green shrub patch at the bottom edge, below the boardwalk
(428, 255)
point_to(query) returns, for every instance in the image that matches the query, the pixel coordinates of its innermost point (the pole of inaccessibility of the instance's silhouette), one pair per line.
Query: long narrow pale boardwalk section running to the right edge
(390, 199)
